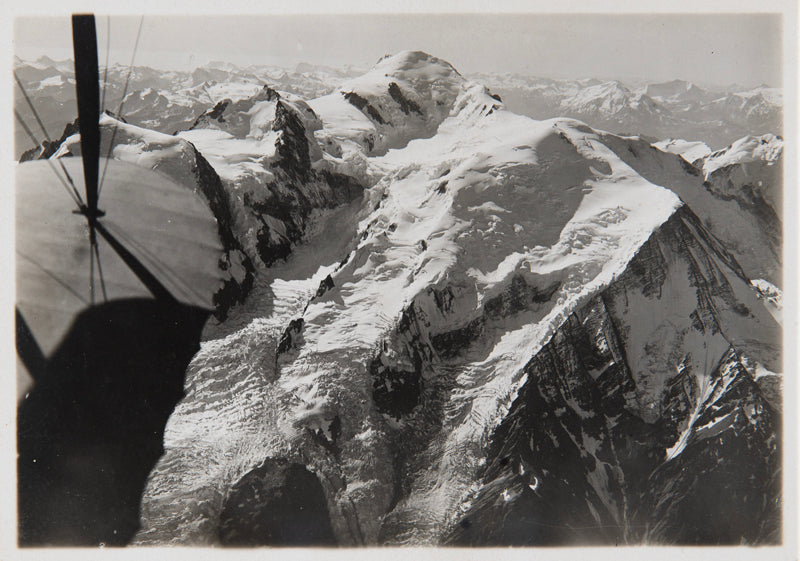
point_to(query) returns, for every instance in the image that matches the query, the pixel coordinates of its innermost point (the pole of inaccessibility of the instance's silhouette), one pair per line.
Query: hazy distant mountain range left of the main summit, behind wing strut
(165, 101)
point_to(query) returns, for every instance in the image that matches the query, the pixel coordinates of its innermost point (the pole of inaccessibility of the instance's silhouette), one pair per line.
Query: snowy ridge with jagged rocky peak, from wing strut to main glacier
(257, 156)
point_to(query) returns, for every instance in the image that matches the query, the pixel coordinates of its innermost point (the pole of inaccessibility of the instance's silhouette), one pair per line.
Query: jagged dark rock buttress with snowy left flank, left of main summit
(274, 194)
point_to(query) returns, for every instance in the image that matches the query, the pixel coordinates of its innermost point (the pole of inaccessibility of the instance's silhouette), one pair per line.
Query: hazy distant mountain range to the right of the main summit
(676, 109)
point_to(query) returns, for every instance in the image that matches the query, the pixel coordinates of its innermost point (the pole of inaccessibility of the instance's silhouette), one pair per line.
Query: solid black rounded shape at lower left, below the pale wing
(91, 429)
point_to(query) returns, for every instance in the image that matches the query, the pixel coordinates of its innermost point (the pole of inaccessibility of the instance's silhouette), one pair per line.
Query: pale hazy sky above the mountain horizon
(706, 48)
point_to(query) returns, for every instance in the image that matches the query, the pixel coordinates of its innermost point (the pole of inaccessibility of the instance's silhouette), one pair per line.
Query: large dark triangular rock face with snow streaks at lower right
(599, 449)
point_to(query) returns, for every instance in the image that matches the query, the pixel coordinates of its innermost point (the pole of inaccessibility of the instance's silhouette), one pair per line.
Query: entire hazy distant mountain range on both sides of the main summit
(168, 101)
